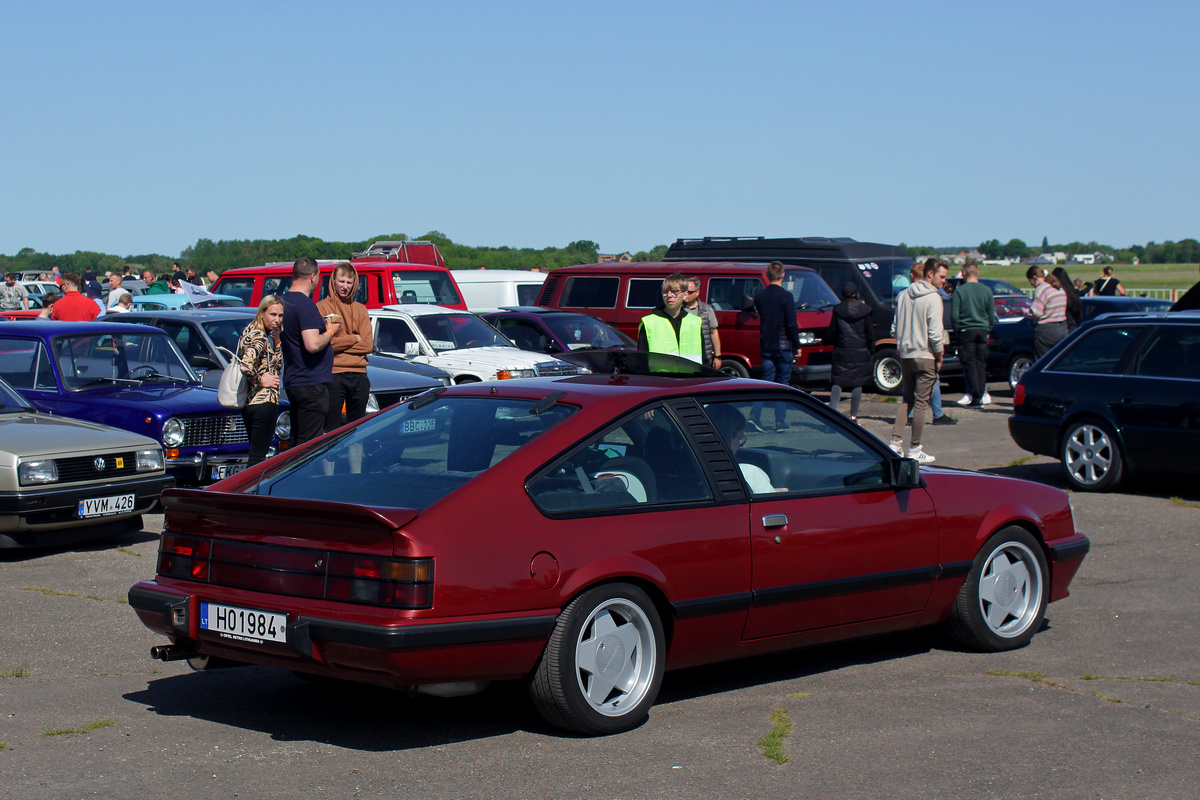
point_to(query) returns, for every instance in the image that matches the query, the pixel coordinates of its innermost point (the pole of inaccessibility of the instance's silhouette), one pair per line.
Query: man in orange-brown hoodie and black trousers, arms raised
(351, 348)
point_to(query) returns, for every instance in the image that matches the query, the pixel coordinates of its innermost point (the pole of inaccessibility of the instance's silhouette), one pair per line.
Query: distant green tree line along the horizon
(220, 256)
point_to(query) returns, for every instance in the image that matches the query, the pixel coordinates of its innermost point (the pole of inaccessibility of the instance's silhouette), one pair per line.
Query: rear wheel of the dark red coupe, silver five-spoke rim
(602, 670)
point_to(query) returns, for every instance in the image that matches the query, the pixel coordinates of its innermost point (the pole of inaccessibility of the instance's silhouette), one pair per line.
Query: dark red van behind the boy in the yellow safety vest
(621, 294)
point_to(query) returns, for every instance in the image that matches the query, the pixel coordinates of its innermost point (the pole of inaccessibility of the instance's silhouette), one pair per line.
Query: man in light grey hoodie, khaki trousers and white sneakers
(920, 345)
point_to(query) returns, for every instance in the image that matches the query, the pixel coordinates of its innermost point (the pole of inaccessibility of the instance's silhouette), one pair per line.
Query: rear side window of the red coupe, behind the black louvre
(644, 461)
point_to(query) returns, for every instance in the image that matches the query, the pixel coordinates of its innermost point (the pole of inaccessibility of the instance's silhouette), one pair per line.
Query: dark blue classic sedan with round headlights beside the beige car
(128, 377)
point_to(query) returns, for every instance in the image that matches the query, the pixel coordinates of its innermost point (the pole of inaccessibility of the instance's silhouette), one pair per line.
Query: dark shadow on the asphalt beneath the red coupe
(376, 719)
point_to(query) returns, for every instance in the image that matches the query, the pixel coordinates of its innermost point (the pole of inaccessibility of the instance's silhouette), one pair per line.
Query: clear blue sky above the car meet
(139, 128)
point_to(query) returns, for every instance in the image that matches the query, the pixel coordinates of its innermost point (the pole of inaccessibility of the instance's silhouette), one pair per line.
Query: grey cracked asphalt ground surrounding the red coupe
(1105, 703)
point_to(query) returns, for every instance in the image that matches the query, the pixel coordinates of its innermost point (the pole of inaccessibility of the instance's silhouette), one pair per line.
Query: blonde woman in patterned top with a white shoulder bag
(262, 362)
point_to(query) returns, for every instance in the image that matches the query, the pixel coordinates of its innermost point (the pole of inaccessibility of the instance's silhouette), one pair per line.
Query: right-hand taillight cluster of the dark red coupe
(398, 584)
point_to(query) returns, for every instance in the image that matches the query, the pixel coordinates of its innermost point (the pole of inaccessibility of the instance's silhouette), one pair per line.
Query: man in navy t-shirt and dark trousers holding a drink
(308, 358)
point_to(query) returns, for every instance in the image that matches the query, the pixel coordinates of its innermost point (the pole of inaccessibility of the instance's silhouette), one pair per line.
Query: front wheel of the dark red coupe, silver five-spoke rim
(1004, 600)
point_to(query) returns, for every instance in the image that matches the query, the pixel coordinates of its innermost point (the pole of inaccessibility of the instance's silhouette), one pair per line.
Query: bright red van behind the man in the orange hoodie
(381, 282)
